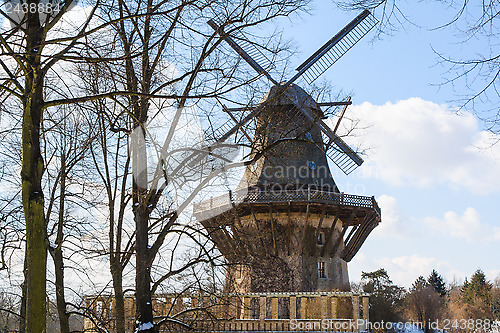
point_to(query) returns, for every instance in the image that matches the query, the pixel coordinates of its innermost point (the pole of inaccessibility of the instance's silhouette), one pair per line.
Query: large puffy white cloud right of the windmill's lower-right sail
(421, 143)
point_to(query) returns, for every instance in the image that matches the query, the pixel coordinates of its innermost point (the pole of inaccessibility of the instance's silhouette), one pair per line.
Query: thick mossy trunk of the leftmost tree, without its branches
(31, 177)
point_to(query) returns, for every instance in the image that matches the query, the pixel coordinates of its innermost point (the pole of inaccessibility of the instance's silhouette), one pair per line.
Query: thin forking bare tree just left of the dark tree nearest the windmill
(111, 161)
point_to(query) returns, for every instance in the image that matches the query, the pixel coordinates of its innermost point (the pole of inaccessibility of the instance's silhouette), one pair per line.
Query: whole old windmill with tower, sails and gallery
(288, 227)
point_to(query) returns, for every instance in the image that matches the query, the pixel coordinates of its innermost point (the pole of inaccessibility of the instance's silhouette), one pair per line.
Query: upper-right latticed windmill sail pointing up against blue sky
(336, 47)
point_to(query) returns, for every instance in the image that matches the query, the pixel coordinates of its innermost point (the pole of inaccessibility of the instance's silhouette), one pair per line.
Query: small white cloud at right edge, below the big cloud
(467, 227)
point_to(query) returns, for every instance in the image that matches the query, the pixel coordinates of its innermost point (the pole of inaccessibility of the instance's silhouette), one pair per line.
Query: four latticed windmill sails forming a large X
(335, 148)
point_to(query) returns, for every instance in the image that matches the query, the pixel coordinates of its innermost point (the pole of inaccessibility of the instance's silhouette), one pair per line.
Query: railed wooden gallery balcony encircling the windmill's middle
(358, 214)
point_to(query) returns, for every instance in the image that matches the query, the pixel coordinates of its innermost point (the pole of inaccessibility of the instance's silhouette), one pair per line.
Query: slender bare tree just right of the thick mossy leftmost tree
(66, 145)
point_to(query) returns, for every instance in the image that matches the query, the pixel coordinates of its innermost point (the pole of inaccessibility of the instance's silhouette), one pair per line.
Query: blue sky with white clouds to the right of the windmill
(430, 165)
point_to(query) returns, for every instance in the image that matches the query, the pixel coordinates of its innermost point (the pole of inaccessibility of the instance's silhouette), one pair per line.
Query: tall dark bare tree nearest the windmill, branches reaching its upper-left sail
(201, 75)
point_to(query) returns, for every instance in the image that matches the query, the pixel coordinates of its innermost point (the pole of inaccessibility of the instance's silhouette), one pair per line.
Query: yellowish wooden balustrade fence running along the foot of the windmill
(250, 312)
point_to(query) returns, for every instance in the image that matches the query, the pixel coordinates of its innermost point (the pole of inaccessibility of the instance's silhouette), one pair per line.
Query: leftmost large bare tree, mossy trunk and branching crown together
(31, 55)
